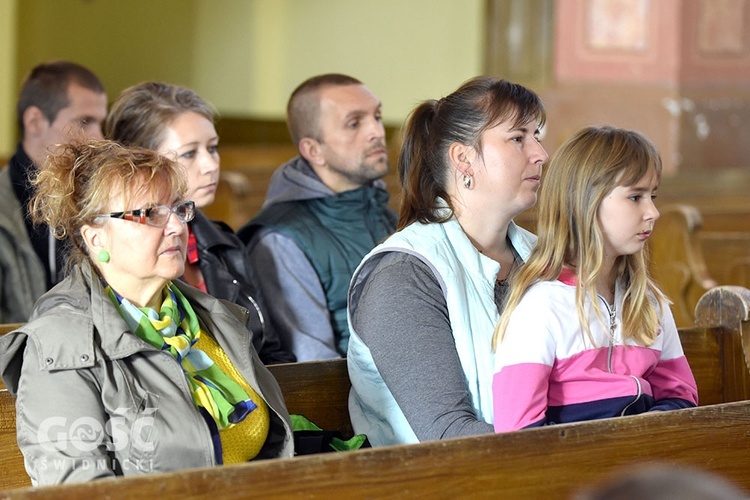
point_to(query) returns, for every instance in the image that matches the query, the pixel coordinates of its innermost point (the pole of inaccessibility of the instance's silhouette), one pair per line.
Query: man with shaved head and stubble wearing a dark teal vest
(324, 211)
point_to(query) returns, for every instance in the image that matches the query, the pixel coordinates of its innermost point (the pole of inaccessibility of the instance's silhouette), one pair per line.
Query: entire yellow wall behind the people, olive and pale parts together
(245, 56)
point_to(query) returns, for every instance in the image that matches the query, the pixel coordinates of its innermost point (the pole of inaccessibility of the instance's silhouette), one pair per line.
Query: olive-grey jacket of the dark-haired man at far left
(22, 276)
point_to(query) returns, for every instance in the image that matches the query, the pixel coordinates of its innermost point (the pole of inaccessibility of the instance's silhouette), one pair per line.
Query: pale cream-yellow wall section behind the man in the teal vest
(405, 50)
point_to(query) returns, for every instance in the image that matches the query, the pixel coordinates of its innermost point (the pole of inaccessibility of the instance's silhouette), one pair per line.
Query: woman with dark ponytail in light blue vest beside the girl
(424, 304)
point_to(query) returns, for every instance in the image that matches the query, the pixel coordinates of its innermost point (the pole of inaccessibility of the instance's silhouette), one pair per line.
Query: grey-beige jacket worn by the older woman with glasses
(93, 400)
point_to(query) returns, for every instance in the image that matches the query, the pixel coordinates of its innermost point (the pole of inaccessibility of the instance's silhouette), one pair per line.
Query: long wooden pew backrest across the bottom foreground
(546, 462)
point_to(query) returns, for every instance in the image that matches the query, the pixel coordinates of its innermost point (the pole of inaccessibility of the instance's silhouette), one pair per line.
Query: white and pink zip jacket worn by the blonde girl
(547, 371)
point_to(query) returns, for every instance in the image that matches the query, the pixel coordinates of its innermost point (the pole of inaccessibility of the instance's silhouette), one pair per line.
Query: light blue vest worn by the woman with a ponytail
(467, 279)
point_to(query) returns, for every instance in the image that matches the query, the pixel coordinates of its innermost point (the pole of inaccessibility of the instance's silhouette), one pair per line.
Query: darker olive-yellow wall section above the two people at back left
(123, 42)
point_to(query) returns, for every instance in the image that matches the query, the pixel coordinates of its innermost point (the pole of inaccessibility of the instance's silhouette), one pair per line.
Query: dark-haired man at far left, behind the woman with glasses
(60, 102)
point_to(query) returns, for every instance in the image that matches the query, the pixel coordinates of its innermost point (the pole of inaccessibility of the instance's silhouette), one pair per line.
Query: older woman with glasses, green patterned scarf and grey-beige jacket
(124, 369)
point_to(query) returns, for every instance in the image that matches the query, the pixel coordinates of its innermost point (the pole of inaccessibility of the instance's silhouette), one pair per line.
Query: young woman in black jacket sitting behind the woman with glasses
(176, 122)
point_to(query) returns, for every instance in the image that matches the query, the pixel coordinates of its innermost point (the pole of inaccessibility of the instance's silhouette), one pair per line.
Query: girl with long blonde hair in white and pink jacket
(585, 332)
